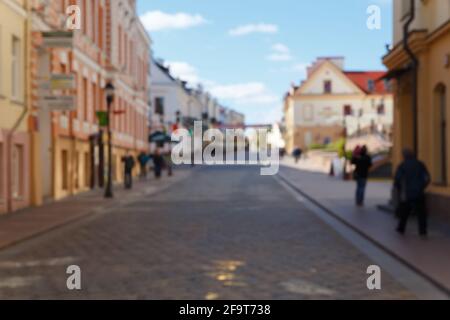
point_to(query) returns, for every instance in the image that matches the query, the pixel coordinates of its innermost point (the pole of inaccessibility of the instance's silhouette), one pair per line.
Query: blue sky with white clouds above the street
(247, 53)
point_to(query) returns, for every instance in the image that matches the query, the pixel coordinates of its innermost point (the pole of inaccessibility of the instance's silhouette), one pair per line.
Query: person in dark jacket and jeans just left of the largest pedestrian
(362, 162)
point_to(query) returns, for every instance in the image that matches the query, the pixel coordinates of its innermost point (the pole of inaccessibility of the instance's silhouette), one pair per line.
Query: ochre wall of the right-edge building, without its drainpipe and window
(432, 47)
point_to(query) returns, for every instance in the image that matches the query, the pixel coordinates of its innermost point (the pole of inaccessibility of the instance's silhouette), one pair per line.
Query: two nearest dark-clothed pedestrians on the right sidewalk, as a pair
(411, 180)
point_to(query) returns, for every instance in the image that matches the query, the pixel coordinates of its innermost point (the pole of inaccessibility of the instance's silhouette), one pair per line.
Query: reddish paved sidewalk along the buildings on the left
(31, 222)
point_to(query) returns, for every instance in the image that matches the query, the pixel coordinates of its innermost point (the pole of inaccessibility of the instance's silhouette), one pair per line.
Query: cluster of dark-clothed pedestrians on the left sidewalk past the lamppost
(160, 161)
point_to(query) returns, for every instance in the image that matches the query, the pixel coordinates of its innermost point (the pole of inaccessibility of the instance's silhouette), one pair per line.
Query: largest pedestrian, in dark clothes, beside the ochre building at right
(411, 180)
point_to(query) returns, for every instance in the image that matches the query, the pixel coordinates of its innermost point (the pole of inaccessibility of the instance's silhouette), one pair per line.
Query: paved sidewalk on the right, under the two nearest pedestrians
(430, 257)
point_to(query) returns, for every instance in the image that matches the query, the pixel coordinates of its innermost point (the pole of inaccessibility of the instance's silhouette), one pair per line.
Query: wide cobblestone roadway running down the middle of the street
(223, 233)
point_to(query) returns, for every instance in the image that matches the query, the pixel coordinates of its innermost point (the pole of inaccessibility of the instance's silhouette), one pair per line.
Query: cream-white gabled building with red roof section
(331, 98)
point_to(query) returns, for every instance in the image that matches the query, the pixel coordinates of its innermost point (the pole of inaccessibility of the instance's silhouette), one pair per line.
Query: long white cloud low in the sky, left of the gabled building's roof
(245, 93)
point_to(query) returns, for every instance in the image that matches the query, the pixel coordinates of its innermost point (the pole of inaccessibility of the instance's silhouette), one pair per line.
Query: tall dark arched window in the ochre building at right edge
(440, 135)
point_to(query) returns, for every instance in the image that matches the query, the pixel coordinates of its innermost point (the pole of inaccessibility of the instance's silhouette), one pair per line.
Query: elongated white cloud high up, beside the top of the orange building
(158, 20)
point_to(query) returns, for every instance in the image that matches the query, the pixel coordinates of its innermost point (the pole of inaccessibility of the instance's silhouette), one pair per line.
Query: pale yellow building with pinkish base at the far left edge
(14, 139)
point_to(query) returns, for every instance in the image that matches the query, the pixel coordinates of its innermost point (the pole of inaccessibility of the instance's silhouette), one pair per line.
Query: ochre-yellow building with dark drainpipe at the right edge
(422, 107)
